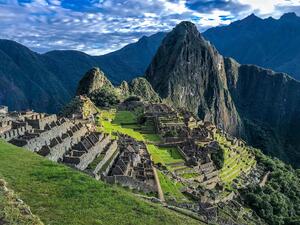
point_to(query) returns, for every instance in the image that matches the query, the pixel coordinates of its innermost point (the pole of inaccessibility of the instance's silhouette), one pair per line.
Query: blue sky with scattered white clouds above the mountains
(101, 26)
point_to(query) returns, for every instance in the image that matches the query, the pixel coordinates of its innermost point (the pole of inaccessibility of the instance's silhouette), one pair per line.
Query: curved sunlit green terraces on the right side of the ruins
(234, 163)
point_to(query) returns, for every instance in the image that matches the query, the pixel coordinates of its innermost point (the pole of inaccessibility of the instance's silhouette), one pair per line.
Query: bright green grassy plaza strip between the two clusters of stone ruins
(126, 122)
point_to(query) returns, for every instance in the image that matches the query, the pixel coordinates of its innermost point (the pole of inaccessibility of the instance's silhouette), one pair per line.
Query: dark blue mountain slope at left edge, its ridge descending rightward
(25, 82)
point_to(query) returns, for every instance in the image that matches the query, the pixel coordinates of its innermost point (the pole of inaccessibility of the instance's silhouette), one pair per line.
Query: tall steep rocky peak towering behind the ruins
(188, 72)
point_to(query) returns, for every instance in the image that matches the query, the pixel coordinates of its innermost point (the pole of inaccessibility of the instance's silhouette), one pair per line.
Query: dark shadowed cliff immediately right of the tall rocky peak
(269, 104)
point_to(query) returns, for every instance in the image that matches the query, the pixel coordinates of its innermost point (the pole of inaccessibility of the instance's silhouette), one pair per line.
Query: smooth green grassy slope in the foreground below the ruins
(60, 195)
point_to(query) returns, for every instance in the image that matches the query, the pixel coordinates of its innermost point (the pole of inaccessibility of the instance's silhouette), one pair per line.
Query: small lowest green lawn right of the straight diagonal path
(171, 189)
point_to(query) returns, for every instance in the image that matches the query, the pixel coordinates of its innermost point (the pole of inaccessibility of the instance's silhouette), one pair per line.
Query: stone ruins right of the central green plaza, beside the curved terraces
(194, 140)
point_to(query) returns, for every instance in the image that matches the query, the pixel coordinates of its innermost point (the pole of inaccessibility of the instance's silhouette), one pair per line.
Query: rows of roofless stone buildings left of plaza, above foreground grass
(76, 142)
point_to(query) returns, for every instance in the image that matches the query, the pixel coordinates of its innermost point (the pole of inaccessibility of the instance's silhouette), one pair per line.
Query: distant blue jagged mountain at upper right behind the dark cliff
(274, 43)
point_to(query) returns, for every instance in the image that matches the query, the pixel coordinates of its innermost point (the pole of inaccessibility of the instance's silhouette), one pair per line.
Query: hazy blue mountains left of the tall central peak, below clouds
(45, 82)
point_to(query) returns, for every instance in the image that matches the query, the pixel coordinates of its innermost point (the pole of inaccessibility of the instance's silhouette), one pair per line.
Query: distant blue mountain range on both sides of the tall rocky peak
(45, 82)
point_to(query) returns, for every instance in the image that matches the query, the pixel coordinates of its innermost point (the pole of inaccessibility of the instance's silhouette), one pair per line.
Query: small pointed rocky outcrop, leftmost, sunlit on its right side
(93, 80)
